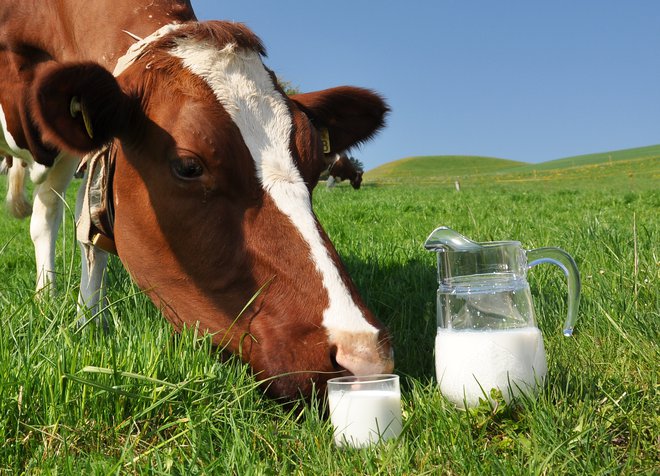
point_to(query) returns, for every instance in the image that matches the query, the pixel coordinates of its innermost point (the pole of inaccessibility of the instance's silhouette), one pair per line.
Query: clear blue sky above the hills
(526, 80)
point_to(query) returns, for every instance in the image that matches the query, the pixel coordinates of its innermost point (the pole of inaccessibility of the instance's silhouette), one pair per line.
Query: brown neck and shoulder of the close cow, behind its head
(35, 34)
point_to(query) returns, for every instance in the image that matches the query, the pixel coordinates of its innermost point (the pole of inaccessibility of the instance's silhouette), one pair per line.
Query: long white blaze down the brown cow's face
(246, 91)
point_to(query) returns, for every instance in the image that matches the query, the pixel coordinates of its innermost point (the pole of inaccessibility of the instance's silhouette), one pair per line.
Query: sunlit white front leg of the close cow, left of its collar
(47, 217)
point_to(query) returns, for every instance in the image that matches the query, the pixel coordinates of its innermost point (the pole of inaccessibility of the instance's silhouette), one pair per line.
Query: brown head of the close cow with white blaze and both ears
(212, 188)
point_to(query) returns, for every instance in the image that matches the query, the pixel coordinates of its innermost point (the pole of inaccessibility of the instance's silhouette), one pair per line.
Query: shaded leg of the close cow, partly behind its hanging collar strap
(91, 298)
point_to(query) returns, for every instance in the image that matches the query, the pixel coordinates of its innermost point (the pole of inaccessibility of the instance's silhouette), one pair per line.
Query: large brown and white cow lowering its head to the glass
(213, 171)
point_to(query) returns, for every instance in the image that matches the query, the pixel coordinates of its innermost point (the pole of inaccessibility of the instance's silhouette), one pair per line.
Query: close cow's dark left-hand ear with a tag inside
(79, 107)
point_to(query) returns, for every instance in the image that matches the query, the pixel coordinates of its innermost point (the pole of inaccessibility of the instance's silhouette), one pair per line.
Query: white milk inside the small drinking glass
(361, 417)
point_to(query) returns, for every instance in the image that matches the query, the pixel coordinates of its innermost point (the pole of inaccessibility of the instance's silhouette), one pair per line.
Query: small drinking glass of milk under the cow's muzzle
(365, 410)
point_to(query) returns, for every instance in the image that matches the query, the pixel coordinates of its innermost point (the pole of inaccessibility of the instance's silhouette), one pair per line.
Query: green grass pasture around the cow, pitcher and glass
(139, 400)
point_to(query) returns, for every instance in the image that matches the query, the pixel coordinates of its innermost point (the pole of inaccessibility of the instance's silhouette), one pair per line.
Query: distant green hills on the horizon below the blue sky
(638, 167)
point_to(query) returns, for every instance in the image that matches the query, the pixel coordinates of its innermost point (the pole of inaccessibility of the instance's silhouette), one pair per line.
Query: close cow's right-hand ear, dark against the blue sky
(350, 115)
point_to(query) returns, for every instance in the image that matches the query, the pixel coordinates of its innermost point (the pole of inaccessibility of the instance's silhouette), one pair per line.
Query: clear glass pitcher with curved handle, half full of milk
(487, 335)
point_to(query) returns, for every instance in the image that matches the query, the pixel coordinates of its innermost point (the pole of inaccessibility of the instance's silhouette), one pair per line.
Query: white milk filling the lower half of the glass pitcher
(469, 363)
